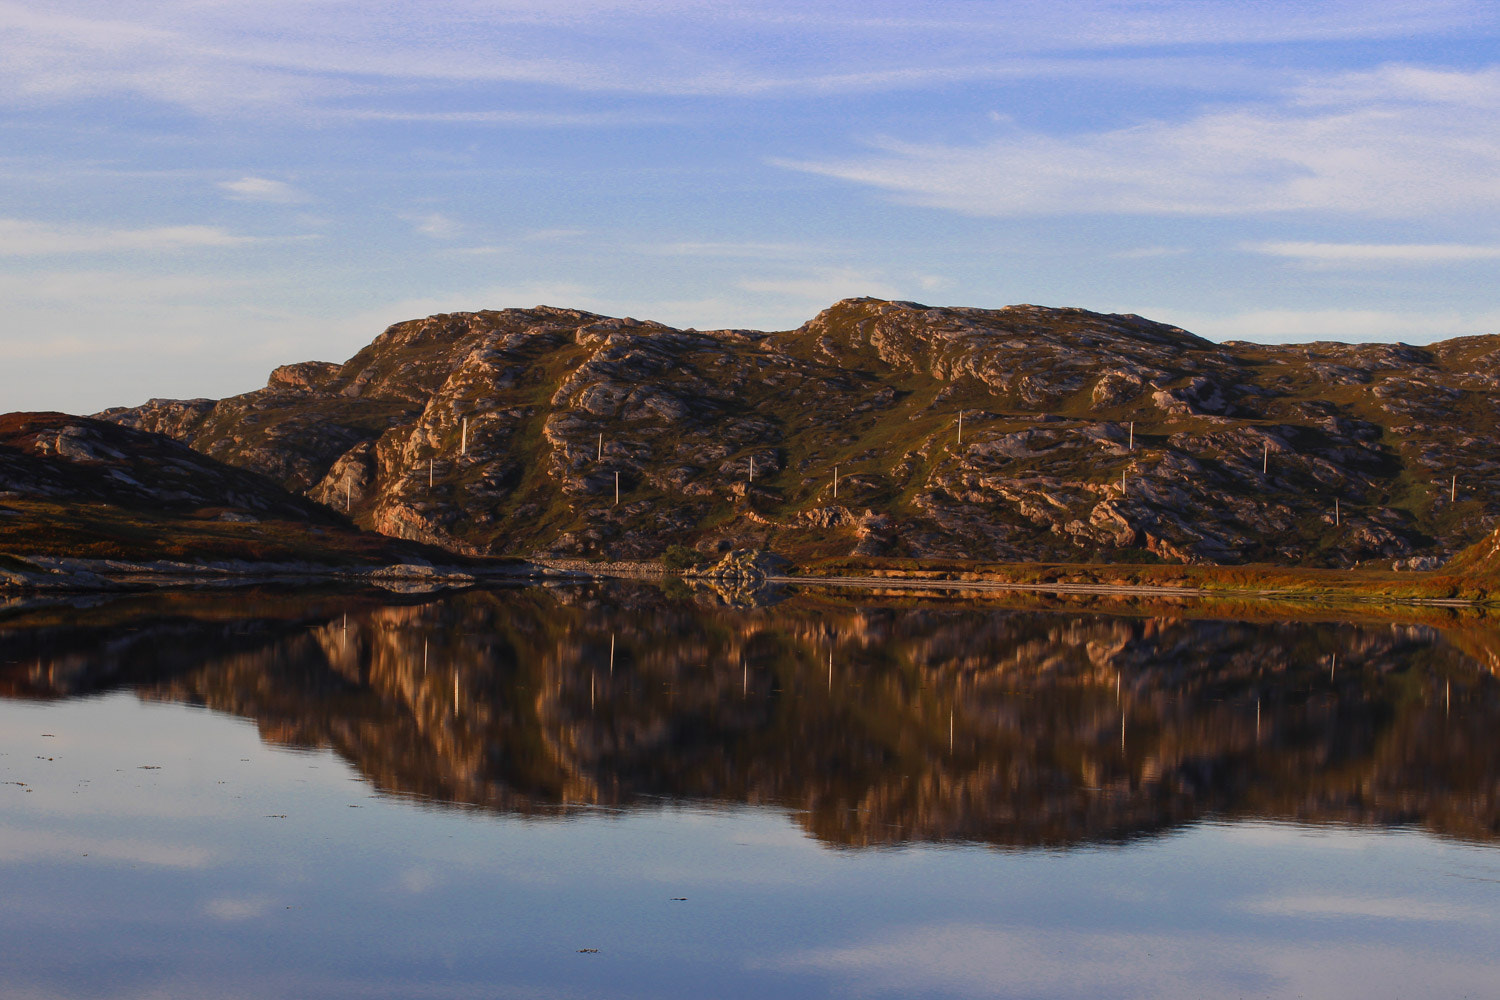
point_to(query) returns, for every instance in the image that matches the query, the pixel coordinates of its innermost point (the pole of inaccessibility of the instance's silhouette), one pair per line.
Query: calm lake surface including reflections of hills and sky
(616, 792)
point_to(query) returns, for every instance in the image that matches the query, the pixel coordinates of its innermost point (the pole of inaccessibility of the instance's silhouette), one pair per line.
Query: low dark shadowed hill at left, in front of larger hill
(89, 488)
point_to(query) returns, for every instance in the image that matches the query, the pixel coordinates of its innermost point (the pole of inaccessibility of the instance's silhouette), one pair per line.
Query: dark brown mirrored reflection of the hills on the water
(1010, 728)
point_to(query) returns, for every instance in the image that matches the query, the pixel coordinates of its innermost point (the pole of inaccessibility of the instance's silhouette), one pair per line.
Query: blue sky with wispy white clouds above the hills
(197, 191)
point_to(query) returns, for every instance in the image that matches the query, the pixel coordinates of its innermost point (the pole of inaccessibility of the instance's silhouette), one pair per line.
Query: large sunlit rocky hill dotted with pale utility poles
(1085, 437)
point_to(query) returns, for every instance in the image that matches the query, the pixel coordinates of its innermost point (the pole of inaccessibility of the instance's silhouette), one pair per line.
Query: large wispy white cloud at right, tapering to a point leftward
(1382, 155)
